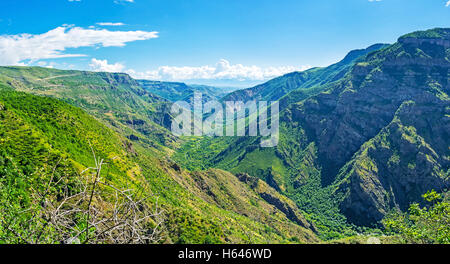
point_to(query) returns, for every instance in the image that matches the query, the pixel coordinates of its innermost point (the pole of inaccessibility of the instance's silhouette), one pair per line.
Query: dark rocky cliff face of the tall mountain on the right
(382, 133)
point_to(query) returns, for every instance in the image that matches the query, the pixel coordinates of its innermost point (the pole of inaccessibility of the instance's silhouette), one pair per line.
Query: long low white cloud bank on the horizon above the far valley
(223, 70)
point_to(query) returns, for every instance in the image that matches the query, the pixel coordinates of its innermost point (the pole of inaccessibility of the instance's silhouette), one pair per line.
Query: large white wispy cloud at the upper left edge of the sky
(15, 49)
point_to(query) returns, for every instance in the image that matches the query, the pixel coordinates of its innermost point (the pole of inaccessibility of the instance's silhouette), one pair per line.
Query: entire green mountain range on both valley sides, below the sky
(358, 139)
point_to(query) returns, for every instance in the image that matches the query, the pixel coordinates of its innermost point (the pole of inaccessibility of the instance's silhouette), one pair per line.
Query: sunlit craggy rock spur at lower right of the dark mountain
(399, 165)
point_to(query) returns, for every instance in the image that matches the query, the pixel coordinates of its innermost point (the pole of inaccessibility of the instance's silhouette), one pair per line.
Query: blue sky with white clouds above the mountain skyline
(219, 42)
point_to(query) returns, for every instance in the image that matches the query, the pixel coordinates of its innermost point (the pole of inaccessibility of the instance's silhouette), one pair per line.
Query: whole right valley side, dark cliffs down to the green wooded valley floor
(373, 140)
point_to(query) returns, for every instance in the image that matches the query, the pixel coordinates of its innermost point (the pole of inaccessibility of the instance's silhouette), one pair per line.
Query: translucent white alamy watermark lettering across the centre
(237, 119)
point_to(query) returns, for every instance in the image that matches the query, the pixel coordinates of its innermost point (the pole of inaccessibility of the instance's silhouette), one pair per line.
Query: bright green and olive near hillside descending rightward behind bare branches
(40, 134)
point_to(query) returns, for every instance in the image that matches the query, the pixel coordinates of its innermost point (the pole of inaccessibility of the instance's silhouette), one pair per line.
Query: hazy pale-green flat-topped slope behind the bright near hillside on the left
(114, 98)
